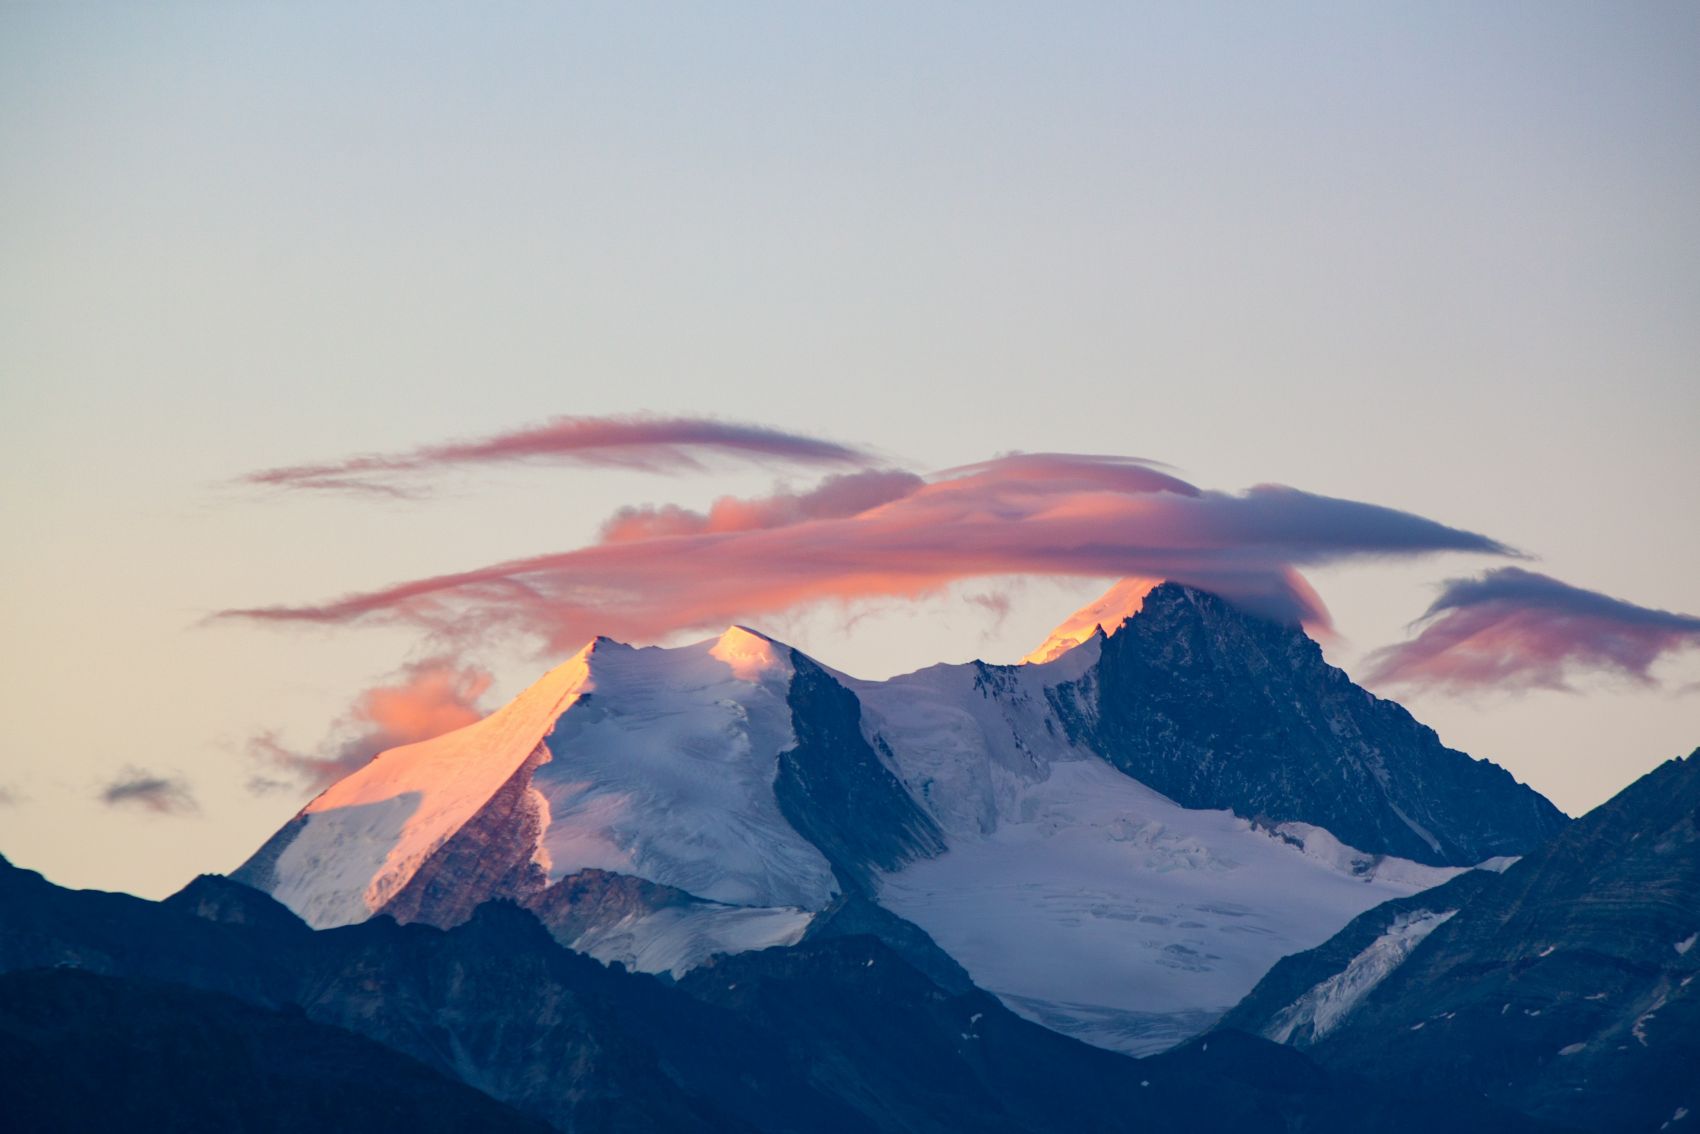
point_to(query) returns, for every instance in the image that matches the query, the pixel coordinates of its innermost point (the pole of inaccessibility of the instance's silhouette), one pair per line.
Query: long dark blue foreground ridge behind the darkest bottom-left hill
(830, 1036)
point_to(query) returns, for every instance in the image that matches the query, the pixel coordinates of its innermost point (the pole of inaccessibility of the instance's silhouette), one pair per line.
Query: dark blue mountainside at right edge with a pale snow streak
(1565, 989)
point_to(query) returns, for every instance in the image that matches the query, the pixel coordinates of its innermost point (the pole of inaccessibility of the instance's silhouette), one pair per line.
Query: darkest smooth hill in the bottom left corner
(82, 1052)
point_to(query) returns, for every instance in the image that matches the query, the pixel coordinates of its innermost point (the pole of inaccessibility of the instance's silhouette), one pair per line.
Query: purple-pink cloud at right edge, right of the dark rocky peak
(1516, 630)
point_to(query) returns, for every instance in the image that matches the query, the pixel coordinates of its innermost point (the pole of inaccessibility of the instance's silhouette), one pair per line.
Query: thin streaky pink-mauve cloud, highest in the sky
(654, 445)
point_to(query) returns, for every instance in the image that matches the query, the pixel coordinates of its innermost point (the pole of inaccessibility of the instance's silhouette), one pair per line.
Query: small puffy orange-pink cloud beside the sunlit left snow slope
(426, 700)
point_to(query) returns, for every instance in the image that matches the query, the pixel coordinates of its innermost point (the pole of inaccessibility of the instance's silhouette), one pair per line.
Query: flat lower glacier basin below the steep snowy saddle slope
(1111, 914)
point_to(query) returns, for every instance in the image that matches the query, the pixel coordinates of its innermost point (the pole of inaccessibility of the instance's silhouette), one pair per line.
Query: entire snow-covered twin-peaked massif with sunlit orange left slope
(1118, 841)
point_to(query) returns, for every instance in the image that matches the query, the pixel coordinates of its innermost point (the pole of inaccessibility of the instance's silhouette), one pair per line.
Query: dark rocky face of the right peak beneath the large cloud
(1221, 710)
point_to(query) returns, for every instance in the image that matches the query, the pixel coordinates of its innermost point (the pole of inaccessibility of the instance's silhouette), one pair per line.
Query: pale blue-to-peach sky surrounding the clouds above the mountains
(1441, 258)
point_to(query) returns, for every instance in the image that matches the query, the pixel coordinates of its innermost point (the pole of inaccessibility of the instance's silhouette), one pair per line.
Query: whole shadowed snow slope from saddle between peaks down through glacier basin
(1087, 900)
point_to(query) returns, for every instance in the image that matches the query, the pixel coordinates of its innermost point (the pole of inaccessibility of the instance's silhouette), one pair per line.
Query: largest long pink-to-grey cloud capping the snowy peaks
(1053, 516)
